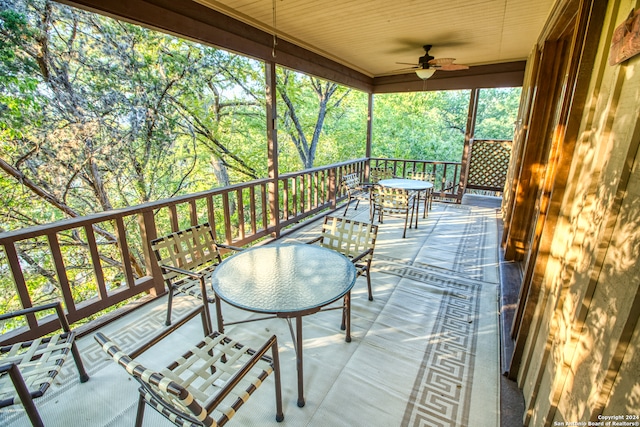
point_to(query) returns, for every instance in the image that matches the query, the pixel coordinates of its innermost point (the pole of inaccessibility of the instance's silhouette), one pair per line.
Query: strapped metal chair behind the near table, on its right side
(354, 239)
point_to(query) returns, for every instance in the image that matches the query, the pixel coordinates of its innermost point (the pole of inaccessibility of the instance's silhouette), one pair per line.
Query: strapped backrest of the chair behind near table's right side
(349, 237)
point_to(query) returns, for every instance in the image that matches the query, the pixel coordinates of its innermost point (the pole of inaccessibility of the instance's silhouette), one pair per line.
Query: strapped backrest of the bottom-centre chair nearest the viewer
(171, 395)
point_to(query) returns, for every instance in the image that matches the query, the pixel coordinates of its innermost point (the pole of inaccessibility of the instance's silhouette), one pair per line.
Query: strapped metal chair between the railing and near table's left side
(187, 258)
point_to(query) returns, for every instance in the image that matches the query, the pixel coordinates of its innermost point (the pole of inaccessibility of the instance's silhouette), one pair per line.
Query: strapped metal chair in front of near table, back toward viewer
(207, 385)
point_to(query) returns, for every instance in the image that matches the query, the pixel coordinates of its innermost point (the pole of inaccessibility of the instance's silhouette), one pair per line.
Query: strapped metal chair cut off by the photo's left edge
(28, 368)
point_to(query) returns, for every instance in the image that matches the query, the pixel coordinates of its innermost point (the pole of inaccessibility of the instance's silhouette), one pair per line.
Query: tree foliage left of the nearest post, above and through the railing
(97, 114)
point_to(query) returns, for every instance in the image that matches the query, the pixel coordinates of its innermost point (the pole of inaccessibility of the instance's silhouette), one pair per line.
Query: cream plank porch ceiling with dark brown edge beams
(358, 43)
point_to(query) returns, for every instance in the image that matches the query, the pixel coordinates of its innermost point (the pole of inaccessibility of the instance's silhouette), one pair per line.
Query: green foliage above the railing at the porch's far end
(432, 125)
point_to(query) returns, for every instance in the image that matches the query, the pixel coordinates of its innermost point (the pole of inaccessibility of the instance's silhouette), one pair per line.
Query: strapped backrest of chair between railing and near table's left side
(193, 249)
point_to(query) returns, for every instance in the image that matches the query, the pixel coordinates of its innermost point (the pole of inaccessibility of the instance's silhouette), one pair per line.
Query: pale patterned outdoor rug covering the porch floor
(424, 352)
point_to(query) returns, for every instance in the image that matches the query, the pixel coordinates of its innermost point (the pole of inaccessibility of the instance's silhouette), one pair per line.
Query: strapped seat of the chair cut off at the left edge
(39, 362)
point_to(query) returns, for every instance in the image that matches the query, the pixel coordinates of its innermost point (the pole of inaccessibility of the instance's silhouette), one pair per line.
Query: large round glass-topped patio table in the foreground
(287, 281)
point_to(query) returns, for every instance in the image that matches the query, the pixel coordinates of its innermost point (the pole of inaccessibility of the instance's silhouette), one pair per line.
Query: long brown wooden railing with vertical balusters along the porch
(108, 255)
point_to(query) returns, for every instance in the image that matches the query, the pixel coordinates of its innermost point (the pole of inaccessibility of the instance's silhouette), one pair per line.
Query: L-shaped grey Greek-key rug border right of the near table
(441, 394)
